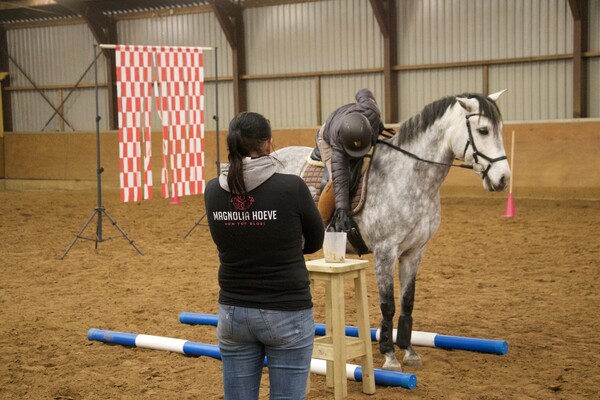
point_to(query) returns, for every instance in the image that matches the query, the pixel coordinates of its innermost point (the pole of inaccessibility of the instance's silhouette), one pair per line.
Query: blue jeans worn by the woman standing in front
(247, 335)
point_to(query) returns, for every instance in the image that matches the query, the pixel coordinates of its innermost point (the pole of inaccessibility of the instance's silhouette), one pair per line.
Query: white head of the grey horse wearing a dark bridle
(481, 140)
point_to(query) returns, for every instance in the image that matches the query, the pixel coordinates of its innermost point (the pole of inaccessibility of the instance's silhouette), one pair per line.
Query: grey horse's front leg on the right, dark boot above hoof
(408, 265)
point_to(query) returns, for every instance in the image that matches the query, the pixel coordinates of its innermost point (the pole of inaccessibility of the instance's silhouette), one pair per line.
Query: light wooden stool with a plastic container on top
(335, 347)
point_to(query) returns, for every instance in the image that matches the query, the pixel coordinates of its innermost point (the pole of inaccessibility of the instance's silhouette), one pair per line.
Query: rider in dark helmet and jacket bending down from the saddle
(348, 134)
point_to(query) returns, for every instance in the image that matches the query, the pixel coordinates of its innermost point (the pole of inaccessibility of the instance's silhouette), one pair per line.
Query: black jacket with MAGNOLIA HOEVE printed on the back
(261, 240)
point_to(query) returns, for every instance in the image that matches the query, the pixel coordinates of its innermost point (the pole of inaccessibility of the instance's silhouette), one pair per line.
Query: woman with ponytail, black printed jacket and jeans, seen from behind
(262, 223)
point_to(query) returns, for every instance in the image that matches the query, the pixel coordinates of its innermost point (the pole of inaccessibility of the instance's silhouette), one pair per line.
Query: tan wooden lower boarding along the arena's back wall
(551, 159)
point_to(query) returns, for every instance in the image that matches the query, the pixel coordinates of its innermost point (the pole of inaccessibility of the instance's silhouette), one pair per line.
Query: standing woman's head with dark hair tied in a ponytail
(248, 133)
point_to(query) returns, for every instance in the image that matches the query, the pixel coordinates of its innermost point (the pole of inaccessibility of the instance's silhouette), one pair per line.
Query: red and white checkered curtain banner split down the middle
(177, 74)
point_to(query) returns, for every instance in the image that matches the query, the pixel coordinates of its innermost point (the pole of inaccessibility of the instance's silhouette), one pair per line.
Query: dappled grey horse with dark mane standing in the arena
(402, 210)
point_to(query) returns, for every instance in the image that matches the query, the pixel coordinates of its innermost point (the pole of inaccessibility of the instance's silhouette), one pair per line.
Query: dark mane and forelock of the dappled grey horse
(433, 111)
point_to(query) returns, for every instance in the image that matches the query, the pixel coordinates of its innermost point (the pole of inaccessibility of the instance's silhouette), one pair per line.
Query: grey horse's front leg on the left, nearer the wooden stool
(384, 272)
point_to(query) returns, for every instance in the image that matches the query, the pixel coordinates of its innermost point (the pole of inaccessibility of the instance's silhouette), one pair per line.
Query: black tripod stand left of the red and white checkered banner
(99, 210)
